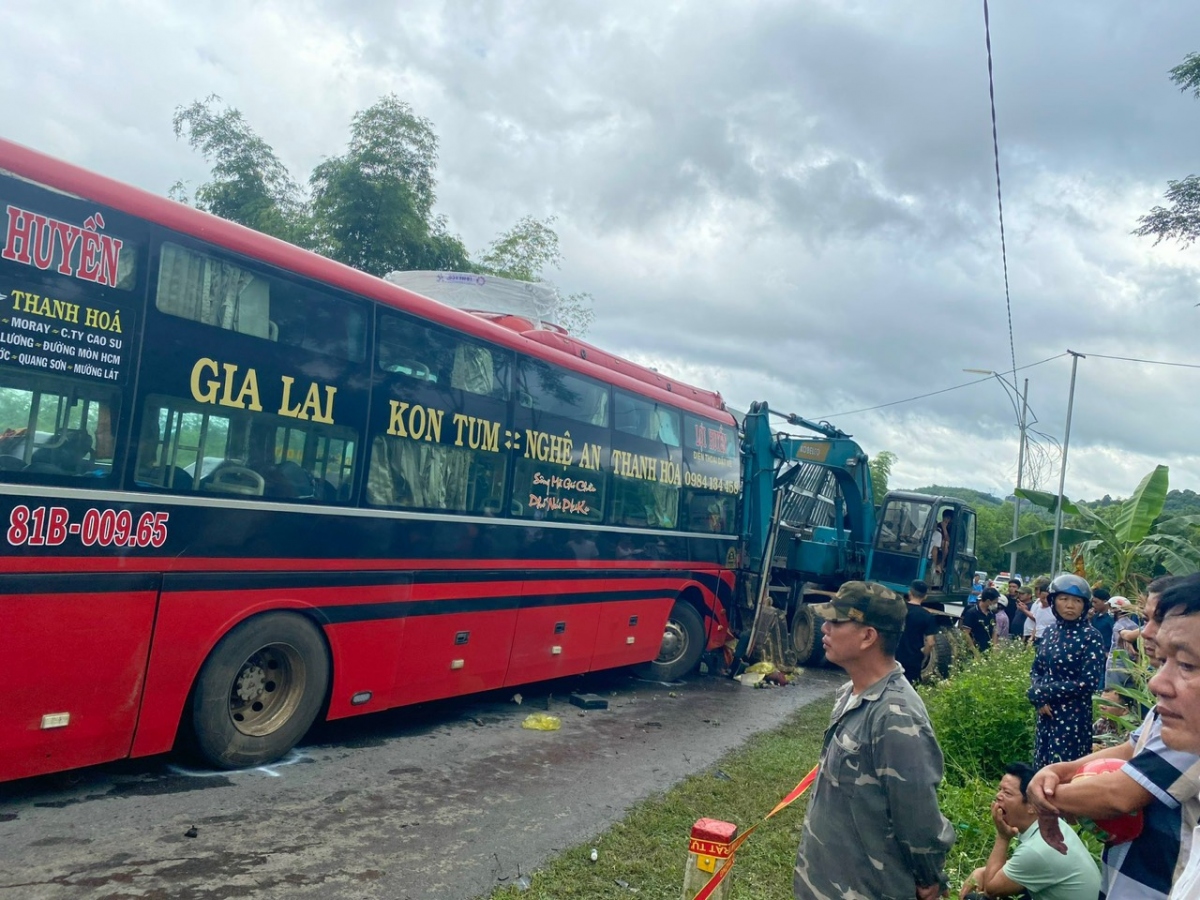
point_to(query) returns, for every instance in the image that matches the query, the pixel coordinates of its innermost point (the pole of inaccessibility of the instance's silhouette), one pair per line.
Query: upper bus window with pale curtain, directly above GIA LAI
(226, 295)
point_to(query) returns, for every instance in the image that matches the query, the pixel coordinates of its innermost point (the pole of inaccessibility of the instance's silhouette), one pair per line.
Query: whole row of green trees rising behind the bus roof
(370, 208)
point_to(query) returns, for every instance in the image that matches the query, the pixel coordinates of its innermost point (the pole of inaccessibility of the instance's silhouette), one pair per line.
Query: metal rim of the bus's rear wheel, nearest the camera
(267, 689)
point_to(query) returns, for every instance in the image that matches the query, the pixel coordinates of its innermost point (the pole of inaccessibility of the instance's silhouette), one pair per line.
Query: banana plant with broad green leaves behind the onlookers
(1133, 535)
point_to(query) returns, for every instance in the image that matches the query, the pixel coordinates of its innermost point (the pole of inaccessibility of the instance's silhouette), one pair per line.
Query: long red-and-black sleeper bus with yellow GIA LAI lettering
(244, 487)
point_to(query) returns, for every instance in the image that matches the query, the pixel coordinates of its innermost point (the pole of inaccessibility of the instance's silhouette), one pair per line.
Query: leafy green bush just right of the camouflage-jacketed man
(981, 716)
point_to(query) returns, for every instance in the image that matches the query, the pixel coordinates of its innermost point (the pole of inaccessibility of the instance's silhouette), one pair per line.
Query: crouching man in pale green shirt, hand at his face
(1035, 866)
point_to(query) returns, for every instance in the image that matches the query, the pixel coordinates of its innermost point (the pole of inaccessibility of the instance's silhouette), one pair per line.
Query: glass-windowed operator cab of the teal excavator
(910, 530)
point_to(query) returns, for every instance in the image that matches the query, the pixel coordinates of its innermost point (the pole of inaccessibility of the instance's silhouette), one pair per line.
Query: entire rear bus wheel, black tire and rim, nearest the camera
(260, 691)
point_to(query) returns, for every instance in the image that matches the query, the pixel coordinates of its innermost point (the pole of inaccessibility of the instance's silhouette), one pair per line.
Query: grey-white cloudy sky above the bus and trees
(791, 202)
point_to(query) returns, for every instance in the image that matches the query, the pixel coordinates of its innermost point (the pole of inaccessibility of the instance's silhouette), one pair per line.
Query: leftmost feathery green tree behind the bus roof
(250, 185)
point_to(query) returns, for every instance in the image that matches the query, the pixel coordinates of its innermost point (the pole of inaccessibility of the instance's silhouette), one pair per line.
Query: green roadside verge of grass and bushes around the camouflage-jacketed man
(982, 719)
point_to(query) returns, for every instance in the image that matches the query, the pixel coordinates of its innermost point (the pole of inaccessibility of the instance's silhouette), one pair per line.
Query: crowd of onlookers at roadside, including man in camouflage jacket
(874, 829)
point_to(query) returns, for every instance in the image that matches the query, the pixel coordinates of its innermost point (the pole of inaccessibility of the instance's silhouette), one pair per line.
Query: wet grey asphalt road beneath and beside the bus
(440, 802)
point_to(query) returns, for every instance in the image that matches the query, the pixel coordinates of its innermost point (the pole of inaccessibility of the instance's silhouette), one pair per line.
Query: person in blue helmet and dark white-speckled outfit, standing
(1067, 671)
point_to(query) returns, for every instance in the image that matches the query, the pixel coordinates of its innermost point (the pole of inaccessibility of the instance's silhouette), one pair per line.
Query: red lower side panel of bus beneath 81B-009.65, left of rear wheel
(74, 669)
